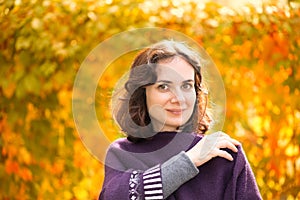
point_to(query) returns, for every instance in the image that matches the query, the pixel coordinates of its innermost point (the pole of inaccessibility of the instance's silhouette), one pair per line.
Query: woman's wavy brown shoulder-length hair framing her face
(132, 114)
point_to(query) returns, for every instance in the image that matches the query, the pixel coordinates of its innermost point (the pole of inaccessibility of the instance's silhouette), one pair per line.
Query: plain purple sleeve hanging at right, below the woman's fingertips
(242, 184)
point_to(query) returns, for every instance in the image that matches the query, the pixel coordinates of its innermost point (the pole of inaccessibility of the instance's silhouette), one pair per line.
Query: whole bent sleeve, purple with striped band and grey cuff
(157, 182)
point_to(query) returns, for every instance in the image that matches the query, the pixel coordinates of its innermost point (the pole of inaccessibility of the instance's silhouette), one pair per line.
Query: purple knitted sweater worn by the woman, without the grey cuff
(133, 171)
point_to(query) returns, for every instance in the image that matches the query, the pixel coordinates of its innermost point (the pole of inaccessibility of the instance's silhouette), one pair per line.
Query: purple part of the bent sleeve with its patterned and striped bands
(125, 183)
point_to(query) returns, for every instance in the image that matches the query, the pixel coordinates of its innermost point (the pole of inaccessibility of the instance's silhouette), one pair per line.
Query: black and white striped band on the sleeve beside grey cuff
(153, 183)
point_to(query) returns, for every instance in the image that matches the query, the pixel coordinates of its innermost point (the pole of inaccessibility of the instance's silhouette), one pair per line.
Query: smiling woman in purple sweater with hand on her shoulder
(165, 155)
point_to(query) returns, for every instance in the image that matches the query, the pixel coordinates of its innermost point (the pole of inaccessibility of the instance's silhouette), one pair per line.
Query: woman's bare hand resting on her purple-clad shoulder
(210, 147)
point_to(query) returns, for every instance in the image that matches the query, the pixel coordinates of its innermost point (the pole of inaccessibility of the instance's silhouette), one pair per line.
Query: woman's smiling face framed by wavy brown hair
(170, 101)
